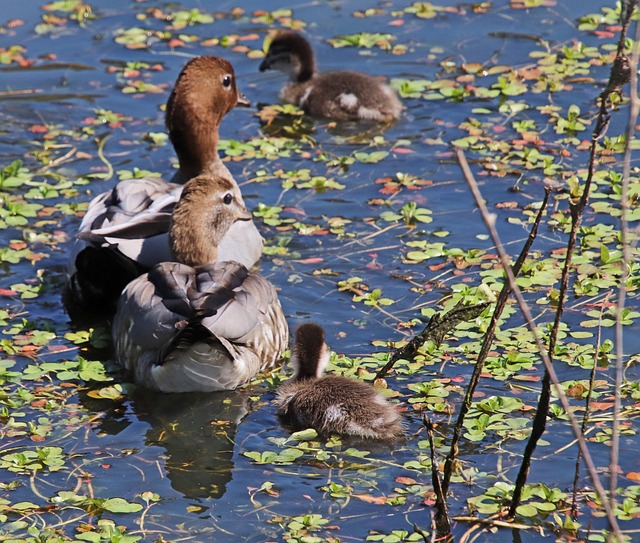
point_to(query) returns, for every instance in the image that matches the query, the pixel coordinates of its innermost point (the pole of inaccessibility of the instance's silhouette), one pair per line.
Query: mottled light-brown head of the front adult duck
(207, 208)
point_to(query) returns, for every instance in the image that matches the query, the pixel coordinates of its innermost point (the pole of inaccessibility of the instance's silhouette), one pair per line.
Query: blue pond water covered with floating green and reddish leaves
(346, 210)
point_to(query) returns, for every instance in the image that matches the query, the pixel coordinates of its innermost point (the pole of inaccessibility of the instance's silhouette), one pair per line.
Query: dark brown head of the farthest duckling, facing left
(291, 53)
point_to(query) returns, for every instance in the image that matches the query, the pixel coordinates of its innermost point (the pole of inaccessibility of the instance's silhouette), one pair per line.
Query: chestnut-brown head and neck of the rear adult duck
(204, 93)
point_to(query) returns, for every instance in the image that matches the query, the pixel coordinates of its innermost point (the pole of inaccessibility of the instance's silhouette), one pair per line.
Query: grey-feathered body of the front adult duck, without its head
(214, 327)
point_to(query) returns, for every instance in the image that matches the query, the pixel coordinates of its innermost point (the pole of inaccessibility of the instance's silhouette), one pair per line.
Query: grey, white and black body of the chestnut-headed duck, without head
(133, 220)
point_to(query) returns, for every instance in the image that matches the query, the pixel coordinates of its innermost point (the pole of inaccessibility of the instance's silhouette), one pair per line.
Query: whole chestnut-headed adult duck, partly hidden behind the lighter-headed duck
(124, 231)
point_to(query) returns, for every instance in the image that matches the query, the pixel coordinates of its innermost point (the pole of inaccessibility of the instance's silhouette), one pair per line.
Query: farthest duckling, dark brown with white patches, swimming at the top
(342, 95)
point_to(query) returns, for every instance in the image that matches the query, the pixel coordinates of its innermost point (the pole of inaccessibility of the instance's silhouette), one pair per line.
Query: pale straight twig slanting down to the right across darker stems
(489, 221)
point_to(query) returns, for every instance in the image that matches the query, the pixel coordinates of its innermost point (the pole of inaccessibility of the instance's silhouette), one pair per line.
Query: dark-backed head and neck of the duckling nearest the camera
(309, 354)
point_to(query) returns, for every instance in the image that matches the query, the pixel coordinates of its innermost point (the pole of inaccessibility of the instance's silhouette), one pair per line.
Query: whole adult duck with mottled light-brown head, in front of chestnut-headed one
(199, 323)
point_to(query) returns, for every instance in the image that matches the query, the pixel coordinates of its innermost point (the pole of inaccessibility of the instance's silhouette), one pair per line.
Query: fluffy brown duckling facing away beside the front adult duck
(331, 404)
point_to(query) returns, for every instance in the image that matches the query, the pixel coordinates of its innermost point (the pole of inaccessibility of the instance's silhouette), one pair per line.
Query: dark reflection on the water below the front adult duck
(196, 430)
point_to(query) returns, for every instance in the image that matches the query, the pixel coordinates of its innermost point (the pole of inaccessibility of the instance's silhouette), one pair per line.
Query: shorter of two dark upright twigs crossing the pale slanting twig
(486, 347)
